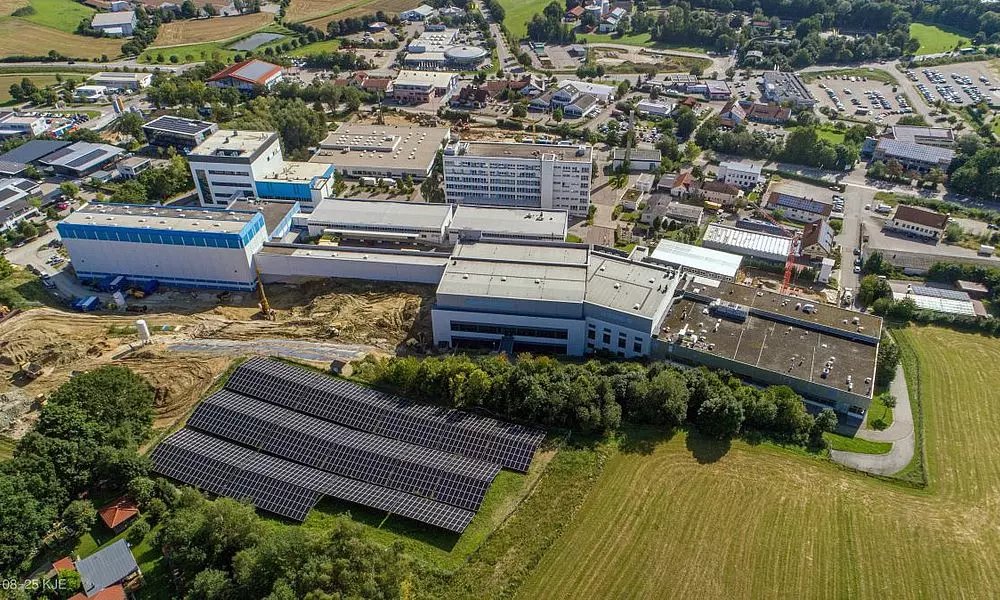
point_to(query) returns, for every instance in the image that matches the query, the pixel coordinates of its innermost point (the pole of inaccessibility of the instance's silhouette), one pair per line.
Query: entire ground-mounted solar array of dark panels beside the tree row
(284, 437)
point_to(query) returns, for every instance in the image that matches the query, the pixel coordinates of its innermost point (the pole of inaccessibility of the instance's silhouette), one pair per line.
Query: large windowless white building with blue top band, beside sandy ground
(183, 247)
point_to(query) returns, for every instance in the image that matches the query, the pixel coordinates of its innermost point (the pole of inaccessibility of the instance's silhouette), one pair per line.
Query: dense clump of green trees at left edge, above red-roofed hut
(86, 436)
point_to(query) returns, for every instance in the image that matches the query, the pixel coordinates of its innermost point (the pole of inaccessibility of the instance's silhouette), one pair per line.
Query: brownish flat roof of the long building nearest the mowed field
(790, 350)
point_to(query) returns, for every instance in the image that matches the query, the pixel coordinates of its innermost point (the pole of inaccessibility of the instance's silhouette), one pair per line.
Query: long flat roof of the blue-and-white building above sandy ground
(160, 217)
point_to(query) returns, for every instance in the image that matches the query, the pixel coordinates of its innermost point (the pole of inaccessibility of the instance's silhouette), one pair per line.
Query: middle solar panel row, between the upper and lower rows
(426, 472)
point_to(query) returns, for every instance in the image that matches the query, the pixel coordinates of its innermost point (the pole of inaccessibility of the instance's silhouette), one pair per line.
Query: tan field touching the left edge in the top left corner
(18, 37)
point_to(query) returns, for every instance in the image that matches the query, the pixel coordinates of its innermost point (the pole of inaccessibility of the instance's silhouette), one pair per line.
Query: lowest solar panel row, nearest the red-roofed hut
(282, 487)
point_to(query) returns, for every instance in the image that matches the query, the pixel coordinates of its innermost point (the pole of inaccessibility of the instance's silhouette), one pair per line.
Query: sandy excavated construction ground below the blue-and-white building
(196, 336)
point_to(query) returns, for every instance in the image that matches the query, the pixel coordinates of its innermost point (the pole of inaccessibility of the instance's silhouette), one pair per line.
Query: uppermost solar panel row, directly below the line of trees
(511, 446)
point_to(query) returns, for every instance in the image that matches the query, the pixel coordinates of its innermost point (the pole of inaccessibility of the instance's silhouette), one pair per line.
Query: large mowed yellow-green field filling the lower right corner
(686, 518)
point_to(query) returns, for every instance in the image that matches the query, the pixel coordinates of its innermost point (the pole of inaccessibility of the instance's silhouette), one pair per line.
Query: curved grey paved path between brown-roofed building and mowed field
(900, 434)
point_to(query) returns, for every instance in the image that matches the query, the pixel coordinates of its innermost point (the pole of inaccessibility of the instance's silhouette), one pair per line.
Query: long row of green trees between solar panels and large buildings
(597, 396)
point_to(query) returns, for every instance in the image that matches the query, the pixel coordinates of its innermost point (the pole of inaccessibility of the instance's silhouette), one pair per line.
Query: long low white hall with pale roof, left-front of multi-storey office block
(381, 220)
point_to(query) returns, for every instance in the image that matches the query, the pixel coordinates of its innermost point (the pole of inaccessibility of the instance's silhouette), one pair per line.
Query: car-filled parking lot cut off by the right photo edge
(958, 84)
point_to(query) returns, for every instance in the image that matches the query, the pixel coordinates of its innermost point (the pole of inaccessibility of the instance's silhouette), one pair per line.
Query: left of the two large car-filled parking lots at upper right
(861, 98)
